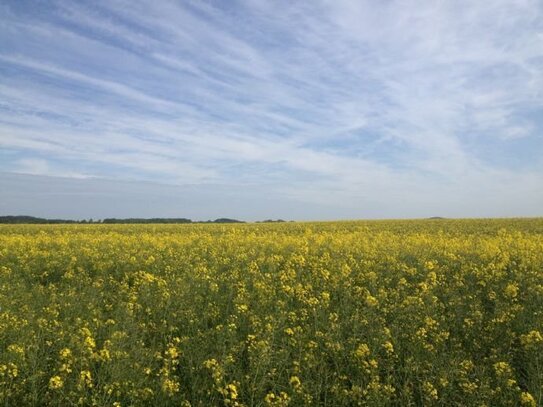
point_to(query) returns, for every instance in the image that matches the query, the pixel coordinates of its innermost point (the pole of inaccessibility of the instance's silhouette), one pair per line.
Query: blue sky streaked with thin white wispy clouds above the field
(309, 110)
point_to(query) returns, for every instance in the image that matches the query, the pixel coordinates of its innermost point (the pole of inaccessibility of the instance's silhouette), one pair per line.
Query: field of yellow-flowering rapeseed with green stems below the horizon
(428, 312)
